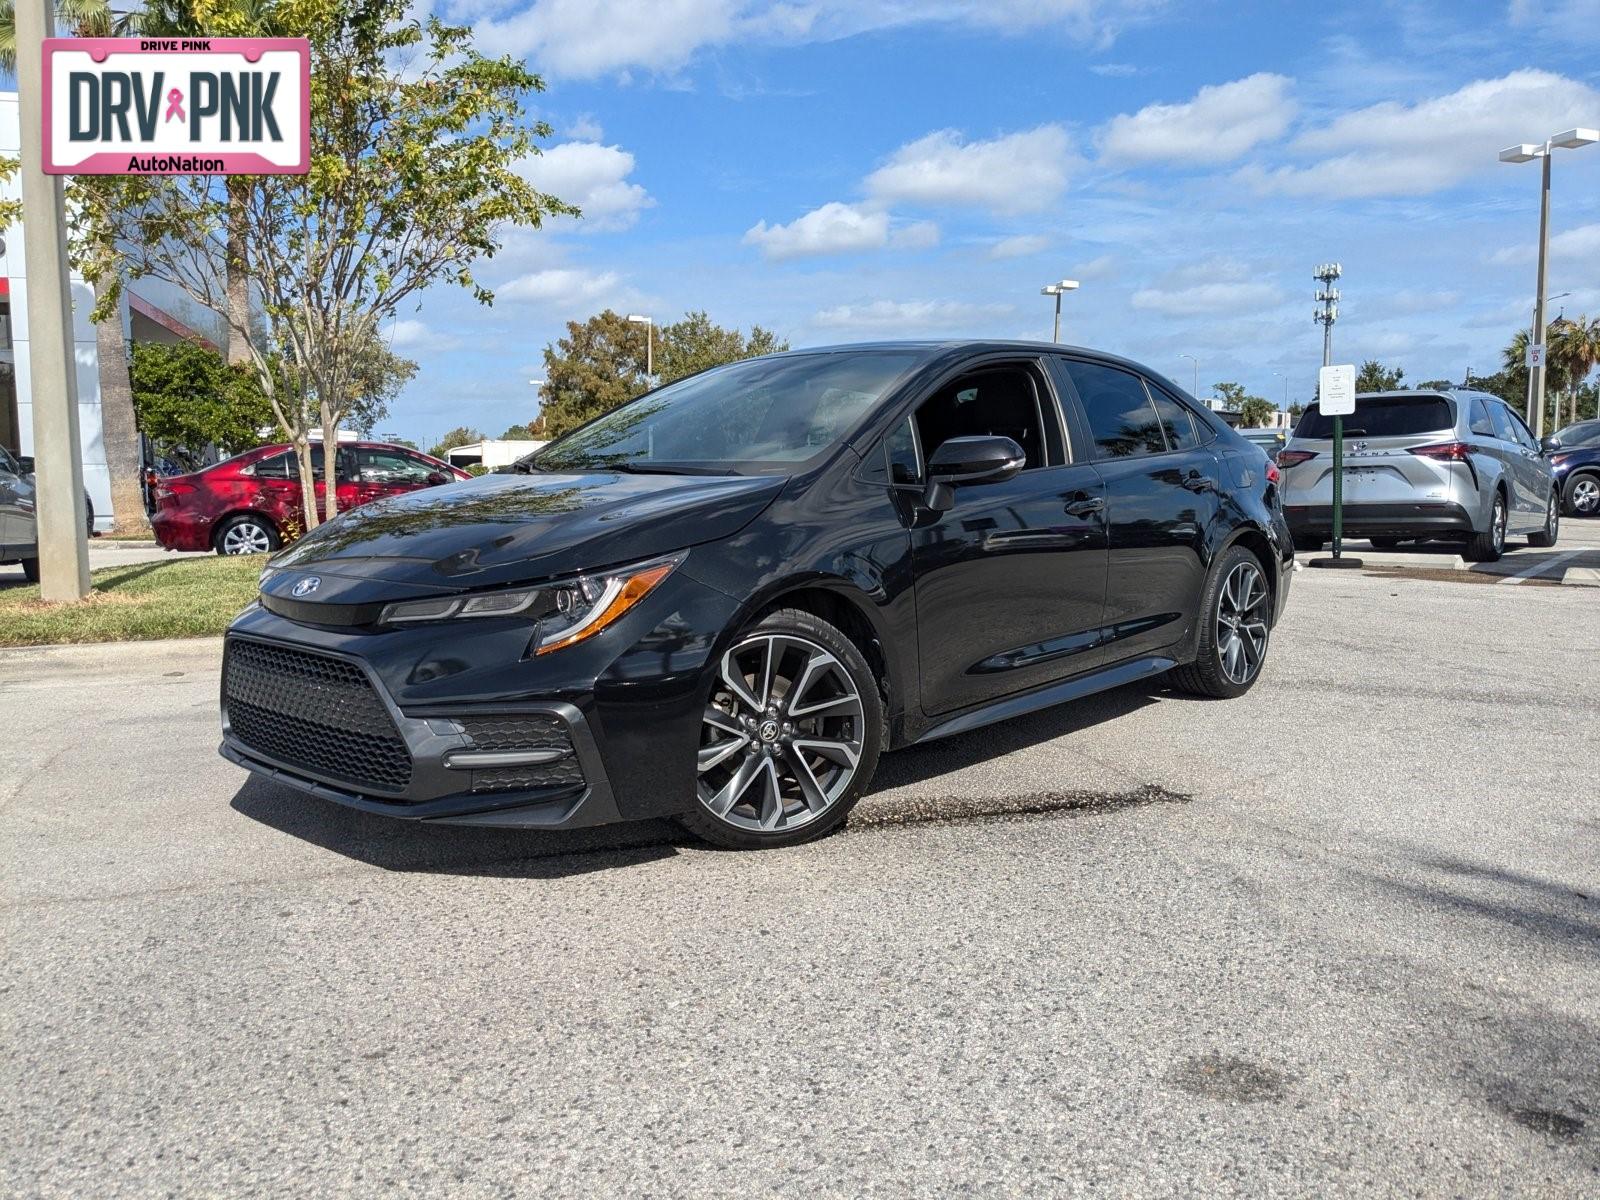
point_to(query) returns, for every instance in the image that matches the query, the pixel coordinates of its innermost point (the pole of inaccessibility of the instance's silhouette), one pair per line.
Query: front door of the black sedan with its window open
(1010, 582)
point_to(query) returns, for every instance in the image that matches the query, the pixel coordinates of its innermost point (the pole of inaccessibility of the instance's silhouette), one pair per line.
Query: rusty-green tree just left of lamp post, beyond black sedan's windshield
(596, 367)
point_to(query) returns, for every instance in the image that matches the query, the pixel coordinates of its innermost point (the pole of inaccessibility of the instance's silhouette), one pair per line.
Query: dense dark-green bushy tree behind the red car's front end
(185, 394)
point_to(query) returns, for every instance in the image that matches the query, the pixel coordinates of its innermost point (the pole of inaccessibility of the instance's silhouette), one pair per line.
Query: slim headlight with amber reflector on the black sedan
(567, 612)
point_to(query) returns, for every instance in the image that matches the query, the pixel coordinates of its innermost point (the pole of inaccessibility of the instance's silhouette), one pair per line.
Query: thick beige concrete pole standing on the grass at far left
(58, 462)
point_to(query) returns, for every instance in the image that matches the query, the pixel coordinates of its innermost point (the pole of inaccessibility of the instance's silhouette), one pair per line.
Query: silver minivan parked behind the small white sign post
(1418, 466)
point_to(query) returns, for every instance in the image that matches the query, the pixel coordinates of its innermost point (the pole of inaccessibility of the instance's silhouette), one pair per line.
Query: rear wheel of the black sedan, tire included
(1236, 625)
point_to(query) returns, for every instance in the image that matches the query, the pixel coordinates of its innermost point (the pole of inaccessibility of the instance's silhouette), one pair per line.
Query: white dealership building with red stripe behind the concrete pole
(151, 313)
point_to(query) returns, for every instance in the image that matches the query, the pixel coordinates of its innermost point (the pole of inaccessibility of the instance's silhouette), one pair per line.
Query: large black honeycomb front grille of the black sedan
(313, 711)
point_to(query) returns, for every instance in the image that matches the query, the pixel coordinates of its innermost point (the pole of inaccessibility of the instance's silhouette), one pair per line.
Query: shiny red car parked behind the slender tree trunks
(244, 505)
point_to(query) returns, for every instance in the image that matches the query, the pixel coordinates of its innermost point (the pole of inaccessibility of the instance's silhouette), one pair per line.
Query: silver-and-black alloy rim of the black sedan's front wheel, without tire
(783, 735)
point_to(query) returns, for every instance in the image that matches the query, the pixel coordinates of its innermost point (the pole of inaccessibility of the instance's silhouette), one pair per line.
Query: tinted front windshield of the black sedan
(751, 417)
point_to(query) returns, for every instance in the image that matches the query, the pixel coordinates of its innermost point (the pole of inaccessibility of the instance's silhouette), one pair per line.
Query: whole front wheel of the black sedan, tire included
(790, 740)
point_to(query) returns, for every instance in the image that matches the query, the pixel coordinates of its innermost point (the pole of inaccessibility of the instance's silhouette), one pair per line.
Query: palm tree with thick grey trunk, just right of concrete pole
(119, 426)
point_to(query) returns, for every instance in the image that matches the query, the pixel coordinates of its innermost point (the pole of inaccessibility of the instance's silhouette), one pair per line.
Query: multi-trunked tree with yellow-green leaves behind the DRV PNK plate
(417, 140)
